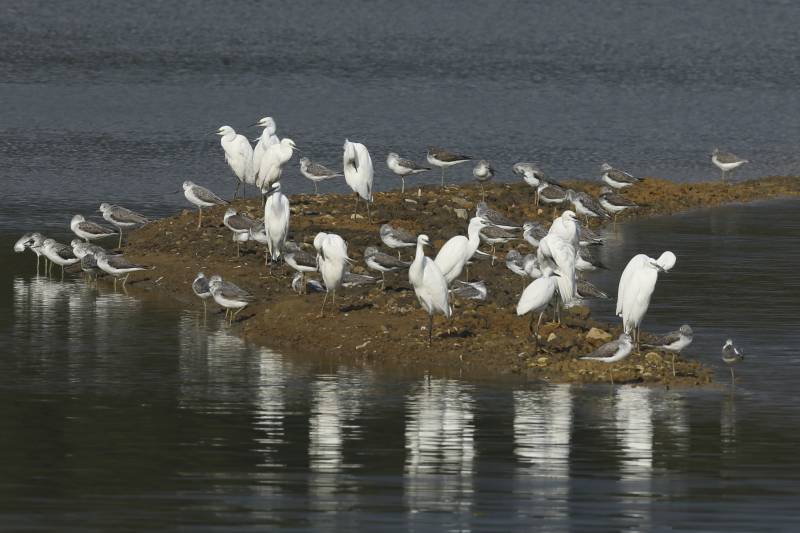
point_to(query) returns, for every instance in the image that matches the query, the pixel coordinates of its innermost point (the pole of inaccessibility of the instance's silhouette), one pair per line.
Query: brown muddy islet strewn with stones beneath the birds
(370, 325)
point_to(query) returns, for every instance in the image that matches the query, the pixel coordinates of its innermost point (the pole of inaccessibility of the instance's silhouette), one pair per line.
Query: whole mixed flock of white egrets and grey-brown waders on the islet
(562, 251)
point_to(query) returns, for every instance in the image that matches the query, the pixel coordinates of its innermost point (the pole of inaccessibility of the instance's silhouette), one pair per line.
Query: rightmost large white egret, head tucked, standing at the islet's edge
(636, 286)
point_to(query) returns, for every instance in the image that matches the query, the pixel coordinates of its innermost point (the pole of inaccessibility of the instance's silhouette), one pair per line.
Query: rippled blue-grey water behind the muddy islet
(110, 102)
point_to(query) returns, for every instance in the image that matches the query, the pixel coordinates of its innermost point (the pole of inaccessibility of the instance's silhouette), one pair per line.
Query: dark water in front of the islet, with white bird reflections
(128, 411)
